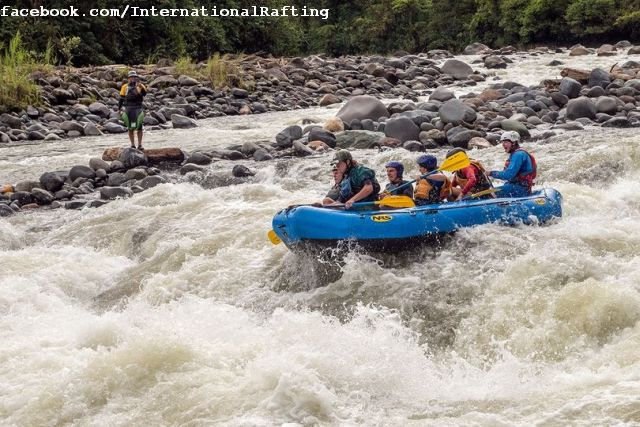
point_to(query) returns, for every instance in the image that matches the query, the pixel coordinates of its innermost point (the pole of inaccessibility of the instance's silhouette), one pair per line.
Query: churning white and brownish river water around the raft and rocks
(173, 308)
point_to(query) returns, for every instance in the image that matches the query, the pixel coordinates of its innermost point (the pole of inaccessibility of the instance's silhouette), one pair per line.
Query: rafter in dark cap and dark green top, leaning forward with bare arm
(359, 183)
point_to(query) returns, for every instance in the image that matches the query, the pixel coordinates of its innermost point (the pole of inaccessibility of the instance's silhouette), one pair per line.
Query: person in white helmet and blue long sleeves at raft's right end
(519, 170)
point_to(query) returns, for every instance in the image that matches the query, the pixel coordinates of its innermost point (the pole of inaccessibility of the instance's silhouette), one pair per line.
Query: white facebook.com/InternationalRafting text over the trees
(139, 12)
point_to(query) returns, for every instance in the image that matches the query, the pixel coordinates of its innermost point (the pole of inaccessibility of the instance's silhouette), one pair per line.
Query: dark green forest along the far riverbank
(360, 26)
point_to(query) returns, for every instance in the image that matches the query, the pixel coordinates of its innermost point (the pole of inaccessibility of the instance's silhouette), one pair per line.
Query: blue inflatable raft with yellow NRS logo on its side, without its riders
(300, 227)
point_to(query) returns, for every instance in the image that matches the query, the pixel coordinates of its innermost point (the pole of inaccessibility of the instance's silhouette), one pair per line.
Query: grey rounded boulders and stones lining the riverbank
(597, 97)
